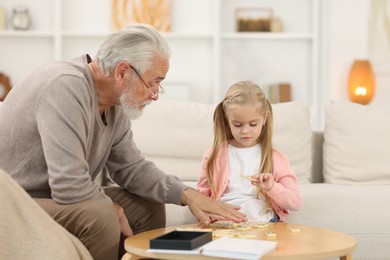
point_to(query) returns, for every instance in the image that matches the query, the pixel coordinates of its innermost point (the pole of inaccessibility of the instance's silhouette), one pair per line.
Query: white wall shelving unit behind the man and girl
(208, 54)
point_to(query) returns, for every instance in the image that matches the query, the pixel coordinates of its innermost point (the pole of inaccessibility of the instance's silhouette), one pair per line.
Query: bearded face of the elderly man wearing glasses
(143, 88)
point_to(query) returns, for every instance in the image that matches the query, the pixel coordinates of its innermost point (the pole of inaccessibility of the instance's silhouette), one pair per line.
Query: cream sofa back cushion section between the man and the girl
(175, 135)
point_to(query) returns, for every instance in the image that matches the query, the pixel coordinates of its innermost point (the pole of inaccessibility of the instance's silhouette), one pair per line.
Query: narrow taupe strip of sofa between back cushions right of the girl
(316, 169)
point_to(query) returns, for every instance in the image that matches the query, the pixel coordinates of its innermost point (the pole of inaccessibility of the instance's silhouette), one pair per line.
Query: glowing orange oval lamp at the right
(361, 84)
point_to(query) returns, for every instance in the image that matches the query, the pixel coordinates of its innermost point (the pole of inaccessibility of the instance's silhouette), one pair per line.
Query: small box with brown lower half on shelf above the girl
(254, 19)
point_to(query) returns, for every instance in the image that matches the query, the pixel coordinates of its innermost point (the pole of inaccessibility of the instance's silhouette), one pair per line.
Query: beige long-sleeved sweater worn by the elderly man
(53, 141)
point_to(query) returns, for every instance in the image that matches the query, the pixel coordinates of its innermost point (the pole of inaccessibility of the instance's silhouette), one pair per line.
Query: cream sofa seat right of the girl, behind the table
(354, 210)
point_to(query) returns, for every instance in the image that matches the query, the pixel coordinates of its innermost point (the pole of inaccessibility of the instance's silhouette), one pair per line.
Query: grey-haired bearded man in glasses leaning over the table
(68, 120)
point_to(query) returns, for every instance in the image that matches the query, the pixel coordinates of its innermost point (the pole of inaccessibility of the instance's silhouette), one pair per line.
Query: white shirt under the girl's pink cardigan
(240, 191)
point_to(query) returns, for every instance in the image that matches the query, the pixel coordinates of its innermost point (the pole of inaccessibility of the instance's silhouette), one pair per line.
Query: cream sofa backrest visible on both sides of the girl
(176, 134)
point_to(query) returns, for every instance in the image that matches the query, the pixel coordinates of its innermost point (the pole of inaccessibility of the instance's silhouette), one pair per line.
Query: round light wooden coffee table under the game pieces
(310, 243)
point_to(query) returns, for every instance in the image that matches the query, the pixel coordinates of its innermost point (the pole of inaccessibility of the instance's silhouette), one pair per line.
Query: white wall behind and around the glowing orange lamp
(345, 38)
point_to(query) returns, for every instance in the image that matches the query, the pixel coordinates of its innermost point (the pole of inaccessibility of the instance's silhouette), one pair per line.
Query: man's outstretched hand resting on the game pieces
(207, 210)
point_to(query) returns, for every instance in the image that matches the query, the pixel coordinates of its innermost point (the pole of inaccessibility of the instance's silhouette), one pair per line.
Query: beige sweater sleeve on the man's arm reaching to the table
(130, 170)
